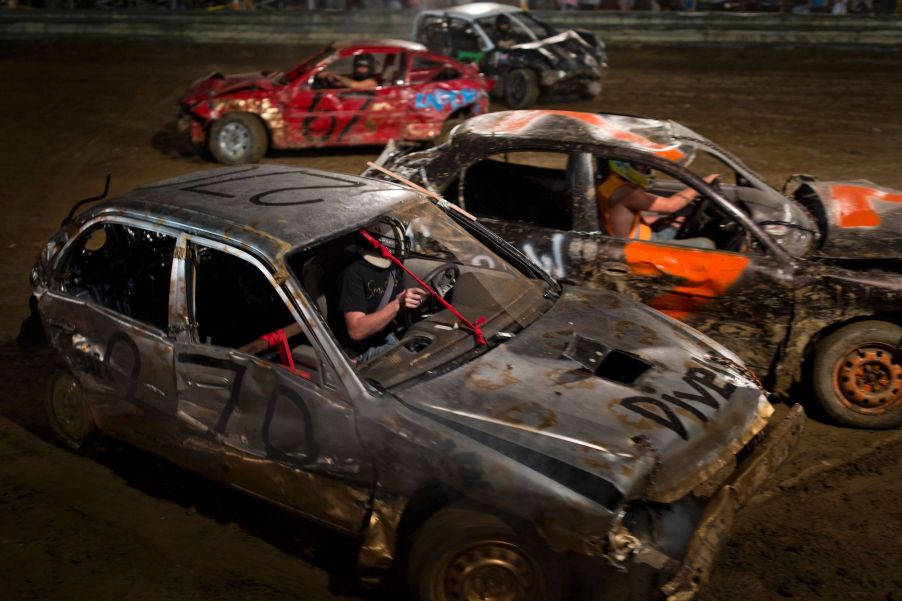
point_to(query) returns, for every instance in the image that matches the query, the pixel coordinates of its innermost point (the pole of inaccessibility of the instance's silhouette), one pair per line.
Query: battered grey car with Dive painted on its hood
(522, 440)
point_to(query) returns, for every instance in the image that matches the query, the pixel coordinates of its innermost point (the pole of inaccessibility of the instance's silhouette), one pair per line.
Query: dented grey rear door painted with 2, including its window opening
(109, 308)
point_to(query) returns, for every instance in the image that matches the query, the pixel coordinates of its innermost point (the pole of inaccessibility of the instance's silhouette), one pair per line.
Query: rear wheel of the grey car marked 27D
(68, 413)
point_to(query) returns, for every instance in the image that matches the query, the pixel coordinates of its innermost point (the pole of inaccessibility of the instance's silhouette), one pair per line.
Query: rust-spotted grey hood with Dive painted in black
(611, 388)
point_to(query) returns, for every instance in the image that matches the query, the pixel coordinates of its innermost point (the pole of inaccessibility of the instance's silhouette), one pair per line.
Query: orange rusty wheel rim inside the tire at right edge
(869, 378)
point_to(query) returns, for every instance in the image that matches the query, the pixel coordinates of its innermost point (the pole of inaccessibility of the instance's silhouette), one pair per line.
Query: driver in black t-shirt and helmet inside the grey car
(372, 295)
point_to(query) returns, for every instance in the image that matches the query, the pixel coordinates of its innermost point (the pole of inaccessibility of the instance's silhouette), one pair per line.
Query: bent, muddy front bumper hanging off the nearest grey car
(717, 520)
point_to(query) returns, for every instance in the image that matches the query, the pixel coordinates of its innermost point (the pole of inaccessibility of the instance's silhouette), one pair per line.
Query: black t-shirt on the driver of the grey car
(361, 288)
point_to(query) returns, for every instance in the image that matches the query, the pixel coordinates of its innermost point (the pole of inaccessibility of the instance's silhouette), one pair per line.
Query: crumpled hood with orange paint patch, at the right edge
(859, 219)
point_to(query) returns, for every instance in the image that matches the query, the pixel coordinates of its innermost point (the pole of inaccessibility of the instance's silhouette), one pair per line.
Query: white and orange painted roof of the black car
(637, 133)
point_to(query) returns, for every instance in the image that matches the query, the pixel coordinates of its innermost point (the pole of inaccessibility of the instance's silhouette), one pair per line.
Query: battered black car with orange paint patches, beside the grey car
(803, 284)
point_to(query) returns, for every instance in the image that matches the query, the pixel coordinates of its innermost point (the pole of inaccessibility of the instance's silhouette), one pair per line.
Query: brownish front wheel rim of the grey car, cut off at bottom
(489, 571)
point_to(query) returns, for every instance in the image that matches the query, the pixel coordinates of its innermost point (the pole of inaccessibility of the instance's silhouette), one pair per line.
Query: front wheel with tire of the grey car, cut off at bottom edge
(462, 553)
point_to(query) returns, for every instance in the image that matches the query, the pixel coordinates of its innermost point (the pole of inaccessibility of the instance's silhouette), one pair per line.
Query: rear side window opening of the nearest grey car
(124, 268)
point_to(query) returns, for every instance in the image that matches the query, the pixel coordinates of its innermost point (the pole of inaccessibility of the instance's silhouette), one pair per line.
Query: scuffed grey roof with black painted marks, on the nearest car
(271, 209)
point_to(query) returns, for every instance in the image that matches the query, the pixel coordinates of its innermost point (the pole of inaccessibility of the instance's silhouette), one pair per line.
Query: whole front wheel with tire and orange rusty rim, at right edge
(857, 375)
